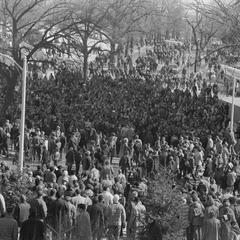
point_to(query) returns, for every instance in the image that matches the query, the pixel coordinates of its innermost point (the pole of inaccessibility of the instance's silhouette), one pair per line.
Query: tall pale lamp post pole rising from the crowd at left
(21, 148)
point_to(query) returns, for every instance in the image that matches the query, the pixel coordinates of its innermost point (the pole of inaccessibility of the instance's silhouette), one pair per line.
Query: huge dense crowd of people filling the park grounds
(149, 120)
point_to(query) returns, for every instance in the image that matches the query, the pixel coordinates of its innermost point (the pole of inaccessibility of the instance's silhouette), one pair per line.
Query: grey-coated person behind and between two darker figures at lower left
(22, 210)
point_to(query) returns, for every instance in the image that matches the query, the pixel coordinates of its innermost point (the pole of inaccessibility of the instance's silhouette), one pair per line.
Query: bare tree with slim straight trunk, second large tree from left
(86, 32)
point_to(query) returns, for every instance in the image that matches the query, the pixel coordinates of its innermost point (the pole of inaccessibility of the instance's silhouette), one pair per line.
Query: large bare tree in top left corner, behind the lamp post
(23, 19)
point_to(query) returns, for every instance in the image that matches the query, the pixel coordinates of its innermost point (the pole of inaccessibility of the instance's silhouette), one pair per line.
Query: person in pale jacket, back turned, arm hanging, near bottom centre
(117, 218)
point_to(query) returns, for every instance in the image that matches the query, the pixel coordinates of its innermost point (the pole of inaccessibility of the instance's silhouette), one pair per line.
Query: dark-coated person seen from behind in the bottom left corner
(8, 226)
